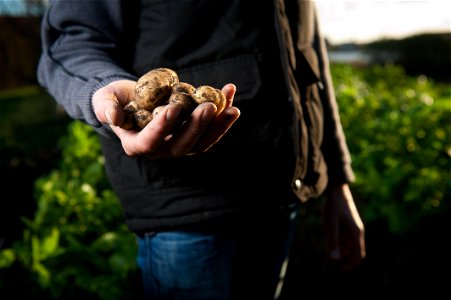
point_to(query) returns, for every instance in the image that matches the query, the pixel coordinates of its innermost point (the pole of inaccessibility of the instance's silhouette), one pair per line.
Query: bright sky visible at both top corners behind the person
(361, 20)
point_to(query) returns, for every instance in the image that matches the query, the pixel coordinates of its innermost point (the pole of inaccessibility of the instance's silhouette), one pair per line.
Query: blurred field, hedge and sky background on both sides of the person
(62, 234)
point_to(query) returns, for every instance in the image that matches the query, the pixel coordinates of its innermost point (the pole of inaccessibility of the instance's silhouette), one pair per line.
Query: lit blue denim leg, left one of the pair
(185, 265)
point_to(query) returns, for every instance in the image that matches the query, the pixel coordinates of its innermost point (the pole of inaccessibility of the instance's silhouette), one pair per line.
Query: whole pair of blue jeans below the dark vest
(242, 263)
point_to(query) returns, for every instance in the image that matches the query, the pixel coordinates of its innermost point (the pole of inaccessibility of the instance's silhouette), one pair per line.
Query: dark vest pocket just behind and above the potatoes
(241, 70)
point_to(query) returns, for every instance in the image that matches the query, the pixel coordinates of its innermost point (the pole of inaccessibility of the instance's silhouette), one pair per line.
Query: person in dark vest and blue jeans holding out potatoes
(213, 203)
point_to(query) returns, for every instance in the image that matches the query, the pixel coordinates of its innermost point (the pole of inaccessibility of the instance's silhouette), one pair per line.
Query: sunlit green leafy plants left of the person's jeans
(77, 243)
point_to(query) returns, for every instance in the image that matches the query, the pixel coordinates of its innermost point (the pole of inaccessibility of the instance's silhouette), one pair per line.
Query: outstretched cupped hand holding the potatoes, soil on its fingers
(157, 140)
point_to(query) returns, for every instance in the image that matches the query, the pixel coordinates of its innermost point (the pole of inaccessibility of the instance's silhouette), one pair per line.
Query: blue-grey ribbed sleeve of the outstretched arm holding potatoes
(82, 50)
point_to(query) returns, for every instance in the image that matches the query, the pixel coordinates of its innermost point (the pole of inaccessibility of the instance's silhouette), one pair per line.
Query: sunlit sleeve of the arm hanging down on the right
(334, 147)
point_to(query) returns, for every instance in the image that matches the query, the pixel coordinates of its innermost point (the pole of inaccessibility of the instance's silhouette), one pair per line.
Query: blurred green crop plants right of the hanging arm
(397, 129)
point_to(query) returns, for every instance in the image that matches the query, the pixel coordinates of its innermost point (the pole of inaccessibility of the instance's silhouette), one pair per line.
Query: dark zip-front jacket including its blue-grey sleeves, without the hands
(288, 139)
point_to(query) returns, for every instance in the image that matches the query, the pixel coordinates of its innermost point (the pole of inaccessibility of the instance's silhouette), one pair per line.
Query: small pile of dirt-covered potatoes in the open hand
(159, 87)
